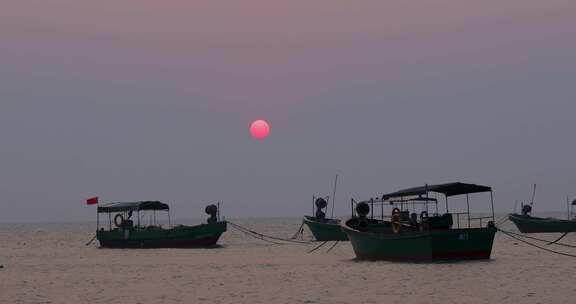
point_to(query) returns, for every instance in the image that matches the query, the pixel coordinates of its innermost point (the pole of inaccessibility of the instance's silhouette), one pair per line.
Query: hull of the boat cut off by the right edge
(530, 224)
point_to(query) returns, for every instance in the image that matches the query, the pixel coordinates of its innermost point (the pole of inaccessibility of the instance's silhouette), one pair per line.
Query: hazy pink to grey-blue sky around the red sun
(152, 100)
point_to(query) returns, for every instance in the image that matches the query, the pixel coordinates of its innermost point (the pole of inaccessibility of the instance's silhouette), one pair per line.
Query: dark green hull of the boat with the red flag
(204, 235)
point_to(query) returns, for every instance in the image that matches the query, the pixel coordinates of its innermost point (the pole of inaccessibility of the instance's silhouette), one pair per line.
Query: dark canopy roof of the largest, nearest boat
(450, 189)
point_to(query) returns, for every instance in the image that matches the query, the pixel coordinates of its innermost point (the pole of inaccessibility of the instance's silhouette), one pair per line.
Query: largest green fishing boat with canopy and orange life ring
(428, 236)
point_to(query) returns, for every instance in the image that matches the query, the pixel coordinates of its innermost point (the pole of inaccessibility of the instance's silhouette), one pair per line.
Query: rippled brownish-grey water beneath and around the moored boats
(49, 263)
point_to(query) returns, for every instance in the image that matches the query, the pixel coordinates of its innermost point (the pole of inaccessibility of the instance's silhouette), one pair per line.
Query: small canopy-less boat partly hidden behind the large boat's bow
(324, 229)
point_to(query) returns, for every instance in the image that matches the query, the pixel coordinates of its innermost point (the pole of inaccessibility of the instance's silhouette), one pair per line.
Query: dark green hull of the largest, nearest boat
(453, 244)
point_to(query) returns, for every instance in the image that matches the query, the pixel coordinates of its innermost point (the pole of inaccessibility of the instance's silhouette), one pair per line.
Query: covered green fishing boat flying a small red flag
(123, 232)
